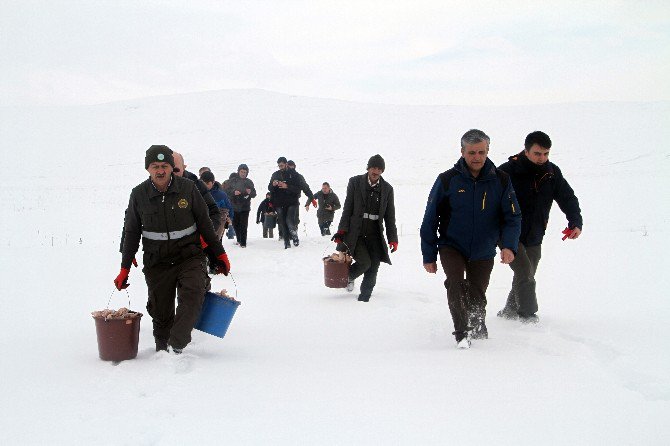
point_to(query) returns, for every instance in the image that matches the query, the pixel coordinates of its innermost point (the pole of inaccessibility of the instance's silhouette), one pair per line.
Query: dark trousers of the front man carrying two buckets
(189, 278)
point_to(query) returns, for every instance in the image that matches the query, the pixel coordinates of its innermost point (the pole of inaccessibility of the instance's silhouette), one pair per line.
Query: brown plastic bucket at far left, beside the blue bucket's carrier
(118, 338)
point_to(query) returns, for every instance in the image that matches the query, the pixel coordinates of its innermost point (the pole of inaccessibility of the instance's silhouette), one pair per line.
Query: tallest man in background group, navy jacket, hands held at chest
(285, 189)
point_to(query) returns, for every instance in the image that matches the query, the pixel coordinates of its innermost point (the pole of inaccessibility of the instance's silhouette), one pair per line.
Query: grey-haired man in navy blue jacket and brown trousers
(471, 208)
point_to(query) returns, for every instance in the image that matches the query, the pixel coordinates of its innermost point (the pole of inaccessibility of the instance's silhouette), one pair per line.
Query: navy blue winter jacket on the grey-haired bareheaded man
(471, 215)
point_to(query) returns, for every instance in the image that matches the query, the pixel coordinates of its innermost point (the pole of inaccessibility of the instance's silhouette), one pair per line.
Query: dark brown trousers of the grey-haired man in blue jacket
(466, 284)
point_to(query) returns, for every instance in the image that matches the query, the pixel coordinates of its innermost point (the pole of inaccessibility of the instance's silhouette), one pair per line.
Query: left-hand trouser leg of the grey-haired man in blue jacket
(453, 264)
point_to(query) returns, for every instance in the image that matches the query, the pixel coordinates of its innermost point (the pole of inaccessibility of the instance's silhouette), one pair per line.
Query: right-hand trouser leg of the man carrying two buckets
(192, 282)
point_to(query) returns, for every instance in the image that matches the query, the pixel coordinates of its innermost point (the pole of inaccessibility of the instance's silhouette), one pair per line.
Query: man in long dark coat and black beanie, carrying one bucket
(368, 207)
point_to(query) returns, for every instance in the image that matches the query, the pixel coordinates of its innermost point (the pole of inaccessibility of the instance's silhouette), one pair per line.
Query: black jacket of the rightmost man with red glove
(536, 189)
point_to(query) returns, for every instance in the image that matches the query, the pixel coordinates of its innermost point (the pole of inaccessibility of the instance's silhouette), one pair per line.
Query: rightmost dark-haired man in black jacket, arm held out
(537, 182)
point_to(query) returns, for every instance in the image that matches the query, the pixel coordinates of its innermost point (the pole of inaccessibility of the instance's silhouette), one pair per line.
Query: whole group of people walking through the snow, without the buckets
(472, 209)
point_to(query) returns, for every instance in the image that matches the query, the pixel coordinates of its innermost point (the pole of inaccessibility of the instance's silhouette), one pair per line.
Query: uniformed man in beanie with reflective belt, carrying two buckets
(170, 216)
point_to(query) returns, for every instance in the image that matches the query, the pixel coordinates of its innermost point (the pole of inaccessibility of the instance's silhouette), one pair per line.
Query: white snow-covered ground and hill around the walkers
(304, 364)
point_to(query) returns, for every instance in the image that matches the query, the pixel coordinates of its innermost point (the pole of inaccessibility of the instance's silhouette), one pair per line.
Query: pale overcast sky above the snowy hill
(409, 52)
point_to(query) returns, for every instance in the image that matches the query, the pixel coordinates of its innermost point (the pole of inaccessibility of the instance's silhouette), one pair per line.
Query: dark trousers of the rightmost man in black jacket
(522, 297)
